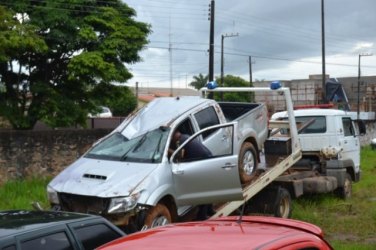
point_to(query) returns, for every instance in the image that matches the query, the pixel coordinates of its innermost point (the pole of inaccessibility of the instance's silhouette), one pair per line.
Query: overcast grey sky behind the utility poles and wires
(282, 37)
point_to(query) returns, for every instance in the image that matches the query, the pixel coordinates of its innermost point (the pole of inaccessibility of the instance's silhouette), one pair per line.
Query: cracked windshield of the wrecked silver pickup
(148, 147)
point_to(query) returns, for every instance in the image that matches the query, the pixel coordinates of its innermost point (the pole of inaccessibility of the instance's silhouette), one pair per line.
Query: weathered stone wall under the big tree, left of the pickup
(42, 153)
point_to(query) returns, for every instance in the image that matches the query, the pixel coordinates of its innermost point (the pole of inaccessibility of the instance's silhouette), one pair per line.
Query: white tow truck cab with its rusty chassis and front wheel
(330, 152)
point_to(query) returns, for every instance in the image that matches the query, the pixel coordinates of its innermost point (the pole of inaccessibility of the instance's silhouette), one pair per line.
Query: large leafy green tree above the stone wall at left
(54, 55)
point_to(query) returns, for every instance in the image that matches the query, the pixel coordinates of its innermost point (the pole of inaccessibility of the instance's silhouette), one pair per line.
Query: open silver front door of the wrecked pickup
(214, 179)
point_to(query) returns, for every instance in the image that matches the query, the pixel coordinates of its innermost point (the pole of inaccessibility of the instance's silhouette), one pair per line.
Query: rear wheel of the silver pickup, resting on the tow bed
(247, 162)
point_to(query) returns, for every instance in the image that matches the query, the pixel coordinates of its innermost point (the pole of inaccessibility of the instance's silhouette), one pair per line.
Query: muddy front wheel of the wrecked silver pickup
(157, 216)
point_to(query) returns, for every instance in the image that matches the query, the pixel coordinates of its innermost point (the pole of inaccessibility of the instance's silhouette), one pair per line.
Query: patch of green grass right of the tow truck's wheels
(349, 224)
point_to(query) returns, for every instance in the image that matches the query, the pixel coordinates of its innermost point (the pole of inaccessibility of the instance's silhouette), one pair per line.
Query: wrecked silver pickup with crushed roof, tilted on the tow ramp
(130, 178)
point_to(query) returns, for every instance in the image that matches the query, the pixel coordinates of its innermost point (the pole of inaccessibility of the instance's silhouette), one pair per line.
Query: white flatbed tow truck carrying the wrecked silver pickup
(308, 152)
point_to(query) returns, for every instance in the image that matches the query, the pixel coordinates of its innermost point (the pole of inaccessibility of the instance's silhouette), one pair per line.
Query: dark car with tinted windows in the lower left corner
(52, 230)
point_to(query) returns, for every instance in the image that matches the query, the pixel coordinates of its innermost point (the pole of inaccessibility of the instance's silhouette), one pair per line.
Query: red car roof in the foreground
(248, 232)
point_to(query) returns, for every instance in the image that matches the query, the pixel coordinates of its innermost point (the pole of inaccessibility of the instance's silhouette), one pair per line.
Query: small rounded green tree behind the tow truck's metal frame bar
(234, 81)
